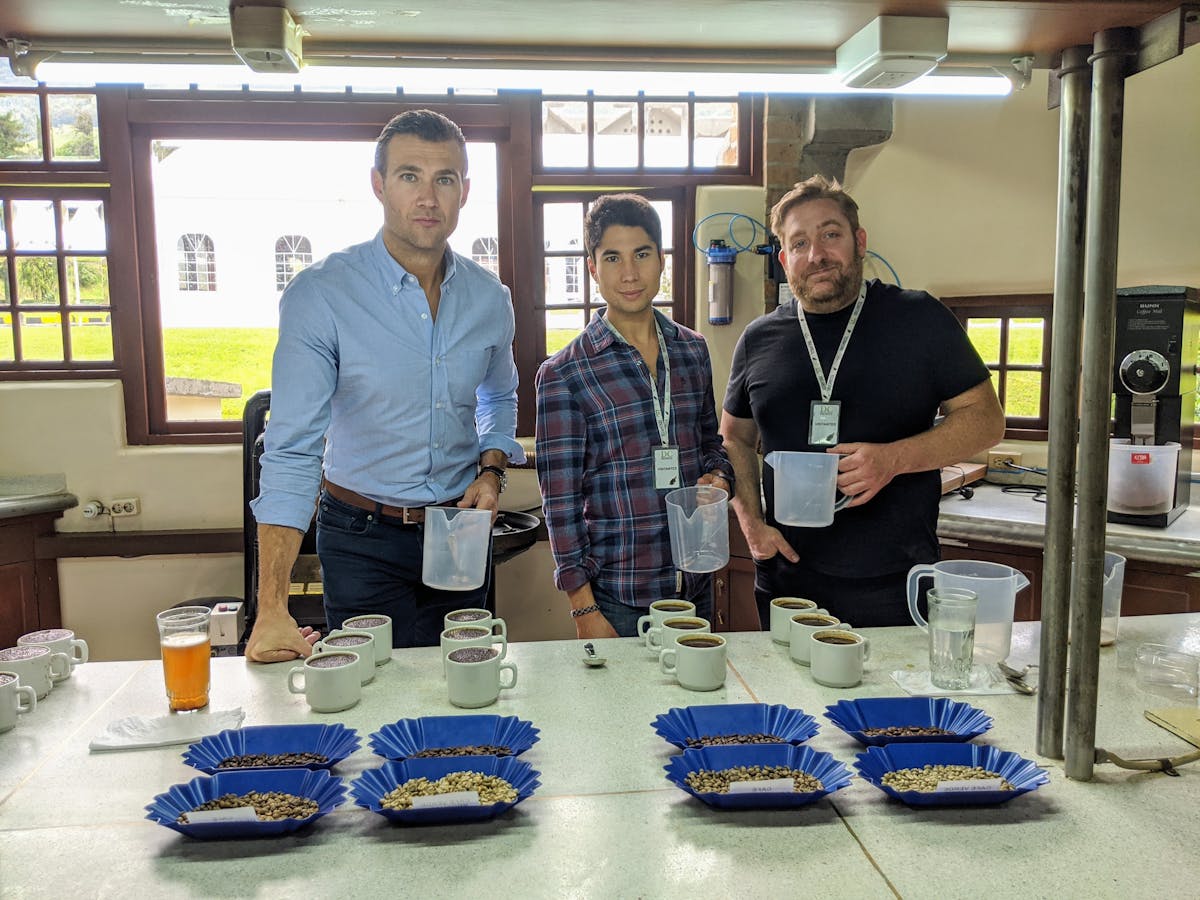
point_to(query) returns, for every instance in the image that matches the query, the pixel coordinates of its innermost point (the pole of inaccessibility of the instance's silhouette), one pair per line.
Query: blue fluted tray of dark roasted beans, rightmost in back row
(856, 716)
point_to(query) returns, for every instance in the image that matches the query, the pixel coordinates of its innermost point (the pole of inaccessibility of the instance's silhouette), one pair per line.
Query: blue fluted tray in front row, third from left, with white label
(833, 775)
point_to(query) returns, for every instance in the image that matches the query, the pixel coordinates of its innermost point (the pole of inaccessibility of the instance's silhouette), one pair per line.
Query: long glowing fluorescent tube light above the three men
(555, 82)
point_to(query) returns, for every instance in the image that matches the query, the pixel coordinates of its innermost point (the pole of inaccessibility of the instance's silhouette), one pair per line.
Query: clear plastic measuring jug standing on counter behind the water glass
(994, 584)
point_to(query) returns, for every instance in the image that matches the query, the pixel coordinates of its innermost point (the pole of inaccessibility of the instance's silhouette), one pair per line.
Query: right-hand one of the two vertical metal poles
(1114, 51)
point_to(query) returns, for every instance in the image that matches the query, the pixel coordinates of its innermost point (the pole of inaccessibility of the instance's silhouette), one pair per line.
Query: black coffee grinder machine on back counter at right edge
(1156, 341)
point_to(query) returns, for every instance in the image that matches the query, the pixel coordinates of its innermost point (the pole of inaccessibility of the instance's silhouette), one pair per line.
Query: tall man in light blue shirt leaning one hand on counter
(394, 389)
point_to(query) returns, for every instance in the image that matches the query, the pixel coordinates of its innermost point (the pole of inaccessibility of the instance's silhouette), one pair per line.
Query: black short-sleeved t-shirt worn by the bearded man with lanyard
(907, 356)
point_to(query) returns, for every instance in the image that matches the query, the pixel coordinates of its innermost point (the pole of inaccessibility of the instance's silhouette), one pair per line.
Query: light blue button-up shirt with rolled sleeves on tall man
(400, 406)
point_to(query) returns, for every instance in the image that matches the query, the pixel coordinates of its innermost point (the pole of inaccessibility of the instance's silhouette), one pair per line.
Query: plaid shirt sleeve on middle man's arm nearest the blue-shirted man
(561, 437)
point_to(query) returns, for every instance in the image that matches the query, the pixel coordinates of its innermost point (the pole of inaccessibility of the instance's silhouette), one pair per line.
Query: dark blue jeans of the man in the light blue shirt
(373, 565)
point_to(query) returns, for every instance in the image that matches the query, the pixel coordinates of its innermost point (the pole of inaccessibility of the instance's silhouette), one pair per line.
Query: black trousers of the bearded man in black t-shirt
(863, 603)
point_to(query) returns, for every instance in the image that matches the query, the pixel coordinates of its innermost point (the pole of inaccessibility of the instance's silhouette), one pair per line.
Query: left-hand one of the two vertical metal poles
(1076, 79)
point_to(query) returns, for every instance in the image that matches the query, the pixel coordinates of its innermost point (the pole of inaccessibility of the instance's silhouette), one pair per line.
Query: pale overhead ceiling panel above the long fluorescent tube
(662, 32)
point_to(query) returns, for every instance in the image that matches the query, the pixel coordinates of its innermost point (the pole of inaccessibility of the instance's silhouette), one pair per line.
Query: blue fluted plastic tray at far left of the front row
(317, 785)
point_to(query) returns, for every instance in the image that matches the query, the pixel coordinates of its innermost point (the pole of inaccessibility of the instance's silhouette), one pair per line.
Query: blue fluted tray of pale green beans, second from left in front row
(371, 787)
